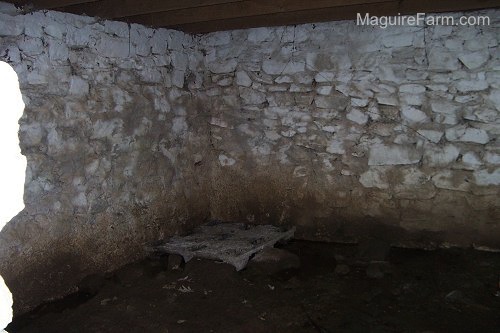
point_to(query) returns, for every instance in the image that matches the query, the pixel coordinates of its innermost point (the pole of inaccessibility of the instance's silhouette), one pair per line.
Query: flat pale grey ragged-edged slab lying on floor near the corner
(232, 243)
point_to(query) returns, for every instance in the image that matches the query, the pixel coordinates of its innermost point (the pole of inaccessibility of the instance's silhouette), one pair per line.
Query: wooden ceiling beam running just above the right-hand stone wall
(206, 19)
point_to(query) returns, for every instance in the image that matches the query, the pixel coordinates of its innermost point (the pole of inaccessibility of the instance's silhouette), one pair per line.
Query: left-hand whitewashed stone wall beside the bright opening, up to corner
(114, 142)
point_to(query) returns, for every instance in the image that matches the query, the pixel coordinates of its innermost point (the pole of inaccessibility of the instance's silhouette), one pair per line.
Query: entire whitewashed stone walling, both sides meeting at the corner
(134, 134)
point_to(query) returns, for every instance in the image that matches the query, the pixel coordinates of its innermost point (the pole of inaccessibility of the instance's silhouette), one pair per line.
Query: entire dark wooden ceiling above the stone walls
(200, 16)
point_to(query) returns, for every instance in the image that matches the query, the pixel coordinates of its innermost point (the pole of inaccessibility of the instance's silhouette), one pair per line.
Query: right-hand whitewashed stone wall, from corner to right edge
(349, 131)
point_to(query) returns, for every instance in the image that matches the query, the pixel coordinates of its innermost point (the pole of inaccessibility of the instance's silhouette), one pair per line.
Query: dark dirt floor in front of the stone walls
(338, 288)
